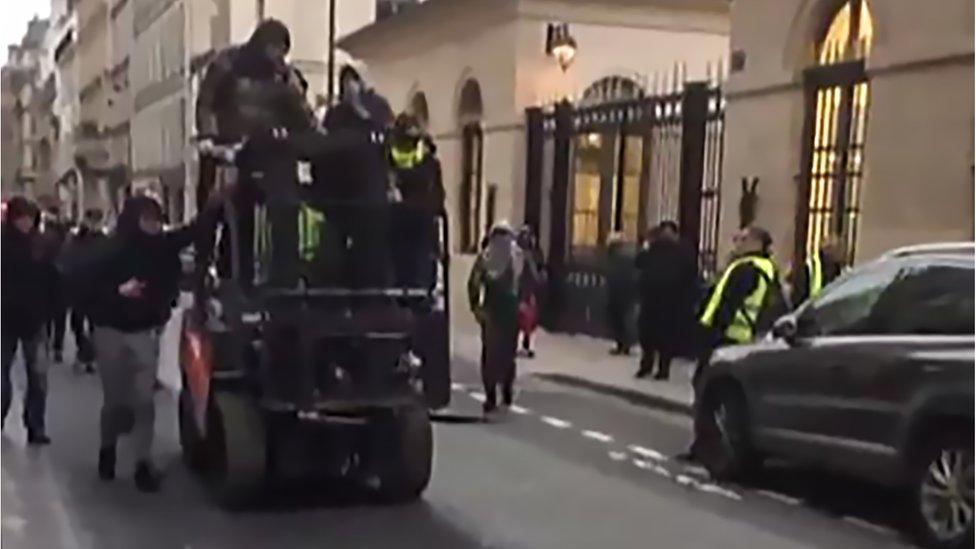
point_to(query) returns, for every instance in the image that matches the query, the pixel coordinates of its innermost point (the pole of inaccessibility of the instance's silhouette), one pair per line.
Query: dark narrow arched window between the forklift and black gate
(472, 165)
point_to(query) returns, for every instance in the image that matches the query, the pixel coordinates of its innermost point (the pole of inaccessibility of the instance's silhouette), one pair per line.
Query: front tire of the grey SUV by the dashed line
(728, 457)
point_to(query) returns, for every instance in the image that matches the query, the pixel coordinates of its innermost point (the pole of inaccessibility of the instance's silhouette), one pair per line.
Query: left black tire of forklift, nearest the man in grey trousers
(238, 445)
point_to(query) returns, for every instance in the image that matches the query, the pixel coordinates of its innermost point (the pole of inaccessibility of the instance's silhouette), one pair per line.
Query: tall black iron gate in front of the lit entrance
(619, 167)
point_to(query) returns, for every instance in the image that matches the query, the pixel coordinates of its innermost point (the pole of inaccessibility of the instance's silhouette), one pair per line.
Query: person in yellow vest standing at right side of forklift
(420, 192)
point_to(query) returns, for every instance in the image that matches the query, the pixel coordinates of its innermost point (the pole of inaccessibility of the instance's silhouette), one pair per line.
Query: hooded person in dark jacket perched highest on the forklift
(249, 92)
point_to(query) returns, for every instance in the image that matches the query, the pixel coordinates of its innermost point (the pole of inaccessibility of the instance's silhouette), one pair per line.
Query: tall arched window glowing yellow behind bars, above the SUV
(837, 107)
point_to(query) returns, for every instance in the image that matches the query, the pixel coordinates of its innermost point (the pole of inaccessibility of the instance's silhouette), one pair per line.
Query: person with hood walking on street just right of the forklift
(493, 294)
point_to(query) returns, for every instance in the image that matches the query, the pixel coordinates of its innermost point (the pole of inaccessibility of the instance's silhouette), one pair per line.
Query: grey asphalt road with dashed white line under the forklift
(565, 469)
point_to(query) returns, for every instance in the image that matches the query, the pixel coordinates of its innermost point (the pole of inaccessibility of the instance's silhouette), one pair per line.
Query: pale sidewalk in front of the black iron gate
(585, 362)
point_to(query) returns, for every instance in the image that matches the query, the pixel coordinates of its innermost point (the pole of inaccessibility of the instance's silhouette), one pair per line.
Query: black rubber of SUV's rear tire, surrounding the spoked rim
(926, 454)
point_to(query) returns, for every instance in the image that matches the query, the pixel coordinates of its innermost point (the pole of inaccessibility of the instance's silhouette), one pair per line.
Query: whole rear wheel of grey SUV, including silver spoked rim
(941, 506)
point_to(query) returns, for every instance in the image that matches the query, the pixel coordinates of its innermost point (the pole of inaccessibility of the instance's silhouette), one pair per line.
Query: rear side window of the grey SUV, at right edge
(932, 298)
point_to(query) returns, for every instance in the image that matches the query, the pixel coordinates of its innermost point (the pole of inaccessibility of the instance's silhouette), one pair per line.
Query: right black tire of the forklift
(405, 469)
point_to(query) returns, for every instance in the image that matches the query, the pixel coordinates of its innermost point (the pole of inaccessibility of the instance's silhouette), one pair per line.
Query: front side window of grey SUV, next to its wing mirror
(846, 308)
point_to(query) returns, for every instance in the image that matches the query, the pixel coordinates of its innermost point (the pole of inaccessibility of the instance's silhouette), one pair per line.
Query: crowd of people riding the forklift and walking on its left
(119, 288)
